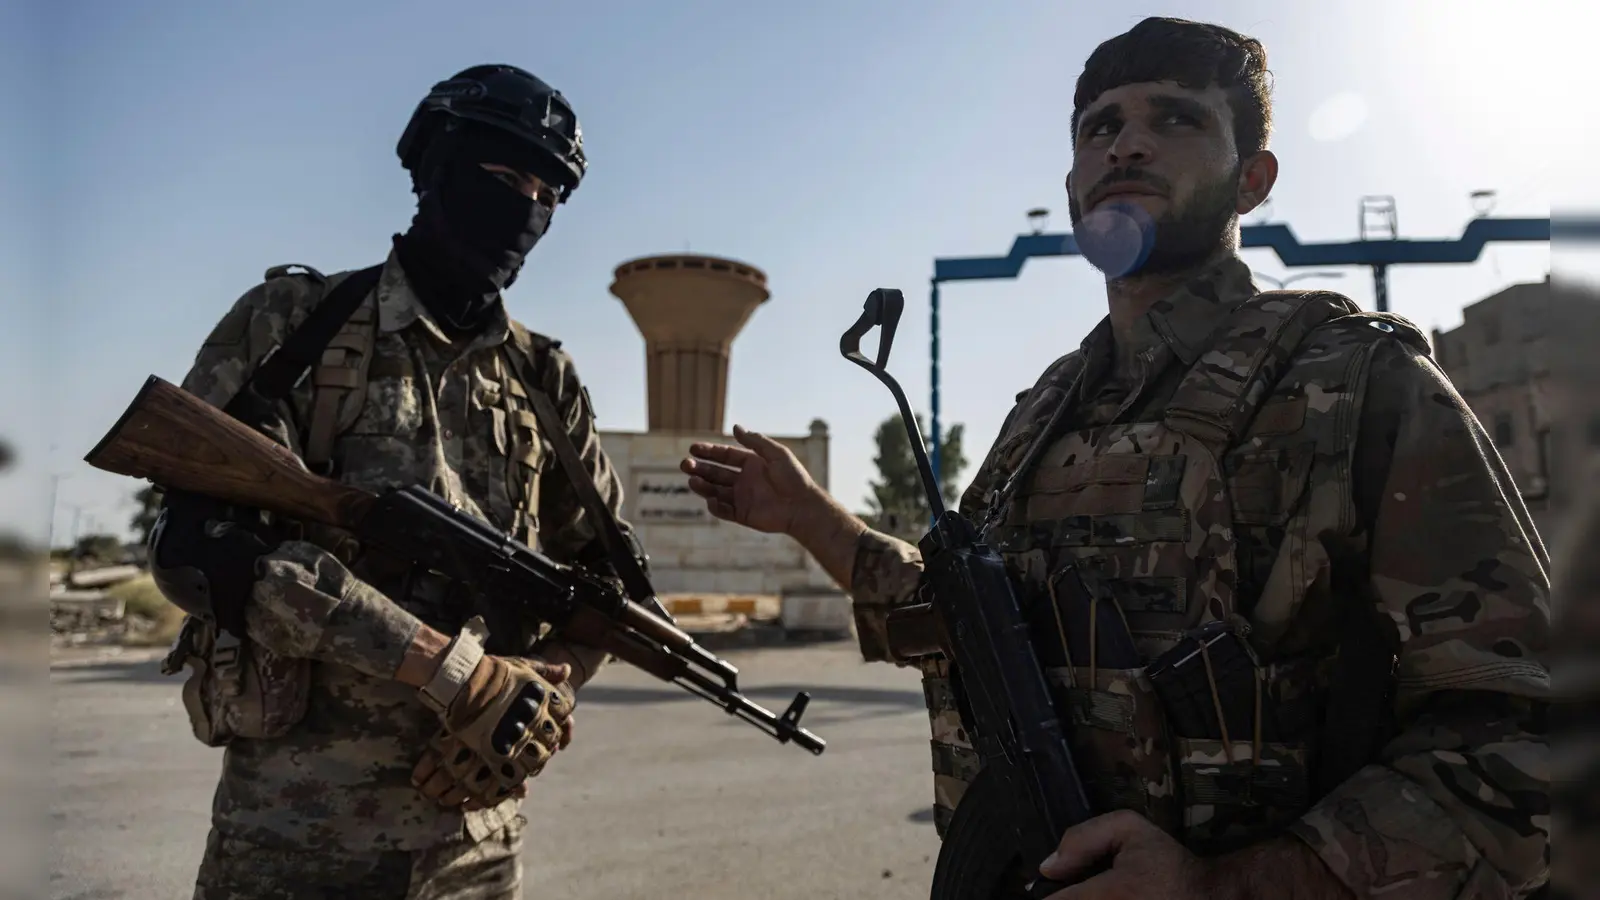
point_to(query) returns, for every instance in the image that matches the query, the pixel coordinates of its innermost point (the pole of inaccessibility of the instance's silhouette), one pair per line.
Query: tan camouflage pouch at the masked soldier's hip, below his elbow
(238, 688)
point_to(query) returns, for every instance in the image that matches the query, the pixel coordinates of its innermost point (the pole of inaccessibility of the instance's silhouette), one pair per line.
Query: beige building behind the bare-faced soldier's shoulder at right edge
(1527, 364)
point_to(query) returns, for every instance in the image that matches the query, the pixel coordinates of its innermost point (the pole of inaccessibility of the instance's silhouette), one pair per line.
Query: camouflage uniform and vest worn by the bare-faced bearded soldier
(1226, 481)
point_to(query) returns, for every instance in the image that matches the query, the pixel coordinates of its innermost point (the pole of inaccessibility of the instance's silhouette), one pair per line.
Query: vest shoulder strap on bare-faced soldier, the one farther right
(1244, 360)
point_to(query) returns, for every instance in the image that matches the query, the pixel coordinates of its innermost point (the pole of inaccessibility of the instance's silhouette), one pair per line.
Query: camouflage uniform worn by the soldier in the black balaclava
(329, 803)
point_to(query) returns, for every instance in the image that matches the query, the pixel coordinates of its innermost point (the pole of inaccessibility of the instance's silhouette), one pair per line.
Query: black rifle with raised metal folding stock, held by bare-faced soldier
(1028, 790)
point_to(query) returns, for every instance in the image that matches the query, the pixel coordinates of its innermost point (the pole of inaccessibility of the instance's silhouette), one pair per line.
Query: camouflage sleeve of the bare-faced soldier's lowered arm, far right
(1458, 803)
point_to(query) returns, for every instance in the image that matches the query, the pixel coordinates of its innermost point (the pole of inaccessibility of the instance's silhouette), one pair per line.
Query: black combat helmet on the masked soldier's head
(511, 100)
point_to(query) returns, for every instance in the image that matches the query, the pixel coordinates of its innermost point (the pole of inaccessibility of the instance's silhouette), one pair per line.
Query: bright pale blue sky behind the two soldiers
(178, 150)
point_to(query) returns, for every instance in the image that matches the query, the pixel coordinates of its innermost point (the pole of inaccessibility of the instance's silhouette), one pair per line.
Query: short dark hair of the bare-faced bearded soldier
(1198, 57)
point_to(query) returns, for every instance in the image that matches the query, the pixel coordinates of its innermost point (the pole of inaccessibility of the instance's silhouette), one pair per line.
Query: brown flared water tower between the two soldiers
(689, 308)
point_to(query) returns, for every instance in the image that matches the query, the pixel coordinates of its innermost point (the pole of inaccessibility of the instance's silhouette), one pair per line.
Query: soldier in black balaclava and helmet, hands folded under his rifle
(378, 725)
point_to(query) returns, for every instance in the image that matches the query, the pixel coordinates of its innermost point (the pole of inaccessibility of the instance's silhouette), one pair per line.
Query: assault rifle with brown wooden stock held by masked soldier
(182, 443)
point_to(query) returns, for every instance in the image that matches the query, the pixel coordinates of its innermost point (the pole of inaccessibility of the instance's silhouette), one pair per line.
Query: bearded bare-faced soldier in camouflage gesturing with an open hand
(1289, 600)
